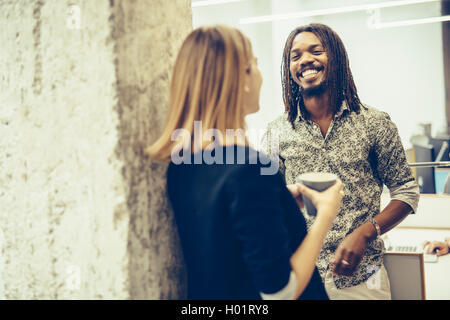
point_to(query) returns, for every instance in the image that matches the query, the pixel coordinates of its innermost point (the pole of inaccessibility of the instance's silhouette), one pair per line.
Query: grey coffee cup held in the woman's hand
(319, 181)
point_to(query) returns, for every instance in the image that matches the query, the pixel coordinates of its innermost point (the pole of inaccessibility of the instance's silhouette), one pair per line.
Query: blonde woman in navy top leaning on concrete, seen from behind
(242, 233)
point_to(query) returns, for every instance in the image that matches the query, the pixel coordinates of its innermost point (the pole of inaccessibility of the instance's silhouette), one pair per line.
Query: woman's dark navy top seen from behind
(238, 228)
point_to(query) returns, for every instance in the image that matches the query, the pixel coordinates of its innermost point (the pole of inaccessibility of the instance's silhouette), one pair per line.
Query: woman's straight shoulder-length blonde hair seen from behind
(207, 85)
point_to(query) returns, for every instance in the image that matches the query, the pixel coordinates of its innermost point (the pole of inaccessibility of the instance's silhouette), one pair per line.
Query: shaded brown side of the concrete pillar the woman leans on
(148, 35)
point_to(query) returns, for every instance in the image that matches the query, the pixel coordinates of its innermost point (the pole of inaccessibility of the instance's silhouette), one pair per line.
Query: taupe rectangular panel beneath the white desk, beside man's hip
(406, 274)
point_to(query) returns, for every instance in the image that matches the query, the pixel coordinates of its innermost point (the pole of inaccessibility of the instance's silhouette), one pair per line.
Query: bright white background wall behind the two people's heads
(397, 70)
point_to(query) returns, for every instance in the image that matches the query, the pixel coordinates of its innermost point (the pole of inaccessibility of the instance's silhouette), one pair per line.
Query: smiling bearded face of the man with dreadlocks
(308, 61)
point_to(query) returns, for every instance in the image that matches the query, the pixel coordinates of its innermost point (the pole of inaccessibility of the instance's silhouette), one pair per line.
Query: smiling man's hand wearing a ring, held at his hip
(349, 254)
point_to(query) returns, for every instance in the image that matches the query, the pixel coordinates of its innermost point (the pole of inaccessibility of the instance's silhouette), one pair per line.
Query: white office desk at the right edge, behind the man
(437, 274)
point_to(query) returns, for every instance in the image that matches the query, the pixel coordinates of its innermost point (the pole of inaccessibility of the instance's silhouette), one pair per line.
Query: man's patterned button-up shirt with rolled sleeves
(365, 151)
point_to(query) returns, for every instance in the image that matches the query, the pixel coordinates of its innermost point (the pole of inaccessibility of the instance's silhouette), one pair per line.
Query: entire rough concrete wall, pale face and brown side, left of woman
(82, 212)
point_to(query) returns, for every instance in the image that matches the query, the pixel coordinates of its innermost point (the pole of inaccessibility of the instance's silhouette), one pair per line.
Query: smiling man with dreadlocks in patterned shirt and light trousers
(325, 128)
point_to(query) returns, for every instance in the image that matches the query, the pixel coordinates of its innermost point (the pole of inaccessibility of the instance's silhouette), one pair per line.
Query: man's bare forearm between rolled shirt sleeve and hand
(394, 213)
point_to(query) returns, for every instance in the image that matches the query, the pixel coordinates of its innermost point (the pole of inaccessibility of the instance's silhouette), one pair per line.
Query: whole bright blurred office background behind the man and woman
(399, 52)
